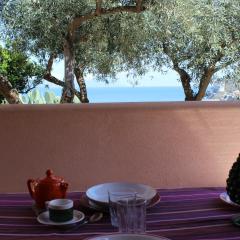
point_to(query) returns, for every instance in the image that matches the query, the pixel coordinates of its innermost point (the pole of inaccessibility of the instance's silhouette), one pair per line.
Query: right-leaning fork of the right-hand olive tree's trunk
(205, 80)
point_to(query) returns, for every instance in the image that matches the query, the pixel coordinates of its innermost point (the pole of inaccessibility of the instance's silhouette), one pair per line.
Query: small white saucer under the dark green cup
(44, 218)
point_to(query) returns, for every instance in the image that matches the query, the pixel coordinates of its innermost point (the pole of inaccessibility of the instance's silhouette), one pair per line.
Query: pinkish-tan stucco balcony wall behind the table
(161, 144)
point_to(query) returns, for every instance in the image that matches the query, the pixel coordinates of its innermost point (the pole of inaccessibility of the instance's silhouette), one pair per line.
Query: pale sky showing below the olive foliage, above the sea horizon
(151, 79)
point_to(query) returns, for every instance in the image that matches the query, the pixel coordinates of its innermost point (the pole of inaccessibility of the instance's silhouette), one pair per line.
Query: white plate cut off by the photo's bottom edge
(128, 237)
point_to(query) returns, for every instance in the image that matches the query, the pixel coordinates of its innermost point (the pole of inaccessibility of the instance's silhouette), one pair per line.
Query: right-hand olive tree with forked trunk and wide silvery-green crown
(199, 39)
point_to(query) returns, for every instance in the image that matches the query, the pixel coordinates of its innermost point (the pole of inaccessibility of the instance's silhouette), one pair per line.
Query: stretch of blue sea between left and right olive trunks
(135, 94)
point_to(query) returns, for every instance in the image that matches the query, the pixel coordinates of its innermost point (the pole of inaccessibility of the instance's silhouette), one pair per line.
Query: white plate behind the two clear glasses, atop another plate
(99, 193)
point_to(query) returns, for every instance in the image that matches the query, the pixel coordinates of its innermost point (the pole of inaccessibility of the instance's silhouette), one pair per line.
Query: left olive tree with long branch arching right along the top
(57, 29)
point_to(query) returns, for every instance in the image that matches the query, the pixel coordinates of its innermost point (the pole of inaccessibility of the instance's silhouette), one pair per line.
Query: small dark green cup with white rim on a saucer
(60, 210)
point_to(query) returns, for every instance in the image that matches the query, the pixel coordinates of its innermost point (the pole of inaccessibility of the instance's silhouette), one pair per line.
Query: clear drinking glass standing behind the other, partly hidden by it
(115, 197)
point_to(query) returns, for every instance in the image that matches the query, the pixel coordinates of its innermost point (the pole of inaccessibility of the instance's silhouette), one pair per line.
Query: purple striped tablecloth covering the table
(196, 213)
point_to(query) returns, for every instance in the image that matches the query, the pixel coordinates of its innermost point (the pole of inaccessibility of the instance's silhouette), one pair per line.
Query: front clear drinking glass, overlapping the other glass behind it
(131, 215)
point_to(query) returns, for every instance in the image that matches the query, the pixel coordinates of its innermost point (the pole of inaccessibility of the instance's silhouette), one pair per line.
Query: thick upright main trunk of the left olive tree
(69, 61)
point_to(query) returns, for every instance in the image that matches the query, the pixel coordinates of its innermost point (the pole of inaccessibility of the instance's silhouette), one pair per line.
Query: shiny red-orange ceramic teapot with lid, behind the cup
(51, 187)
